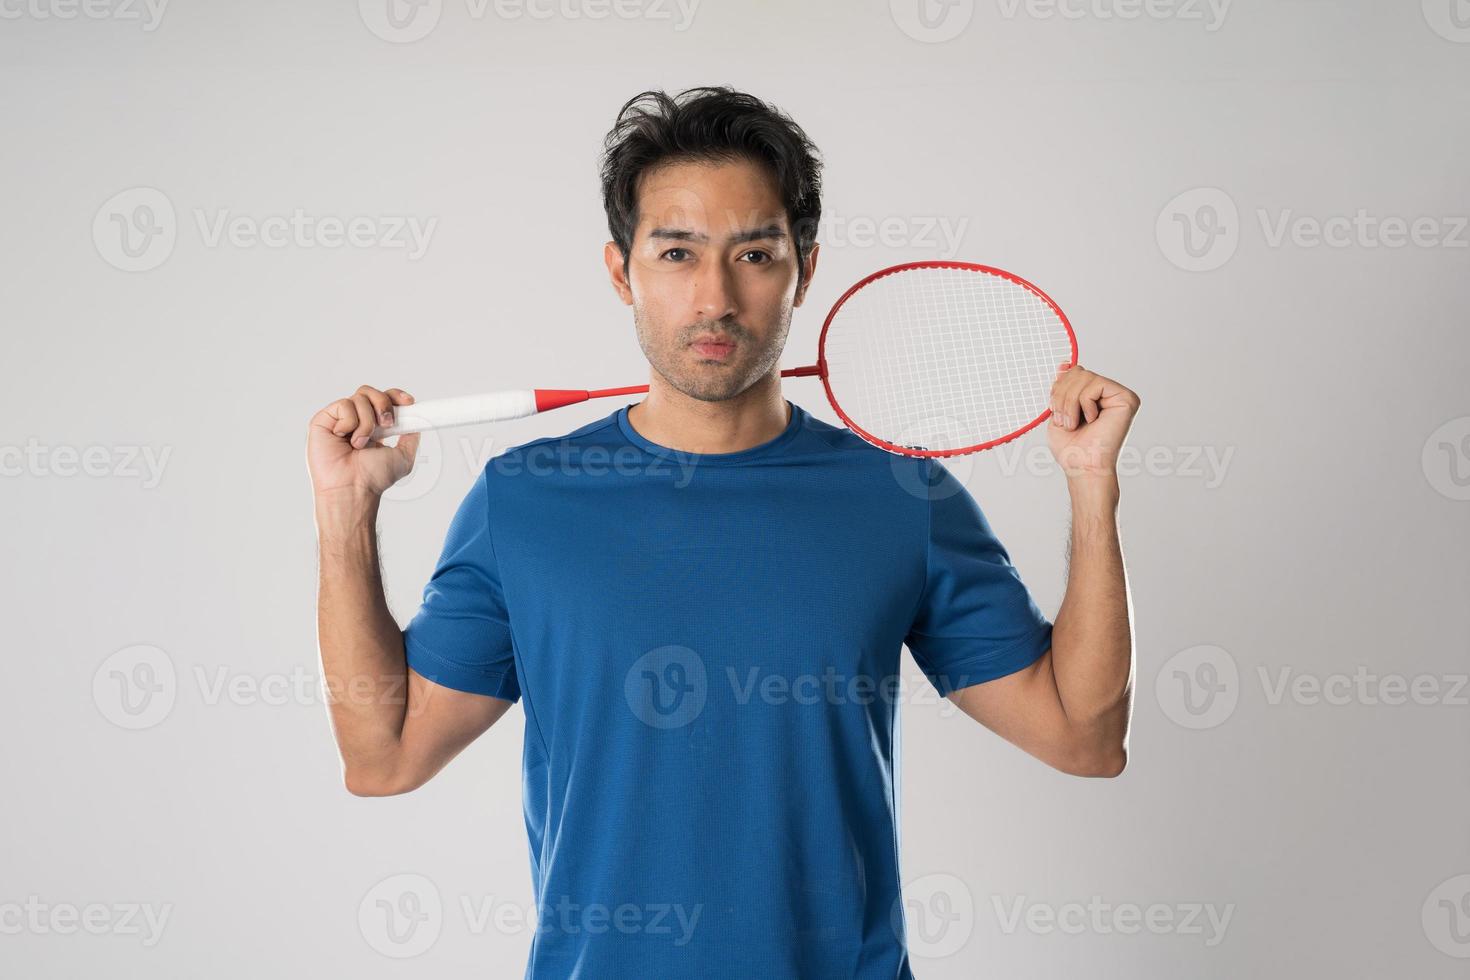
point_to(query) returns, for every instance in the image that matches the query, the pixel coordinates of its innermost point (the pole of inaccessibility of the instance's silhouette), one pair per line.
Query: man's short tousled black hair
(709, 124)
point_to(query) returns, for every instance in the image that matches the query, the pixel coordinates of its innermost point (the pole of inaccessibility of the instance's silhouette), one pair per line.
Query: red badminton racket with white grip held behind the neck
(921, 359)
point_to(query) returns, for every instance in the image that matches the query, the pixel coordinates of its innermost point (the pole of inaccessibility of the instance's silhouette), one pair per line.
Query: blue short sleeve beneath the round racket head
(975, 621)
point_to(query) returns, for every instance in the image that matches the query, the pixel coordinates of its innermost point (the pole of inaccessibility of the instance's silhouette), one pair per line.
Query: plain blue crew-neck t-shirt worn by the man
(708, 653)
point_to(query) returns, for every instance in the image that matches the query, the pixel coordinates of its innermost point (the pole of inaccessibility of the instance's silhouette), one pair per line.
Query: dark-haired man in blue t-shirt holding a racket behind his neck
(700, 602)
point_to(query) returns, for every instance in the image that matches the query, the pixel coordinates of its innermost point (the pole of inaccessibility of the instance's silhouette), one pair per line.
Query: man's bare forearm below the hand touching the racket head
(1093, 640)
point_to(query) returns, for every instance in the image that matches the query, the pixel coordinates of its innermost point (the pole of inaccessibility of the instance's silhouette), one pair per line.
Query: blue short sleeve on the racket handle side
(461, 635)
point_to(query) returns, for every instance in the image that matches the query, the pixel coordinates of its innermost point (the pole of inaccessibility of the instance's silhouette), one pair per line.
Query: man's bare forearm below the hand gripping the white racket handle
(361, 644)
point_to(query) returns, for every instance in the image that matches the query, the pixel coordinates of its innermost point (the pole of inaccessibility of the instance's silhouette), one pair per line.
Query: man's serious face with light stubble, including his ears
(712, 275)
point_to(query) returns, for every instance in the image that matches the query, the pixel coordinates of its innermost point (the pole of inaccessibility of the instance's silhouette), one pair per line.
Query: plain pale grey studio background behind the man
(1253, 212)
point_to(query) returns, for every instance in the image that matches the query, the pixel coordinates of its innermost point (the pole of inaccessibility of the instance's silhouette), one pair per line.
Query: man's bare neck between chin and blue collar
(674, 419)
